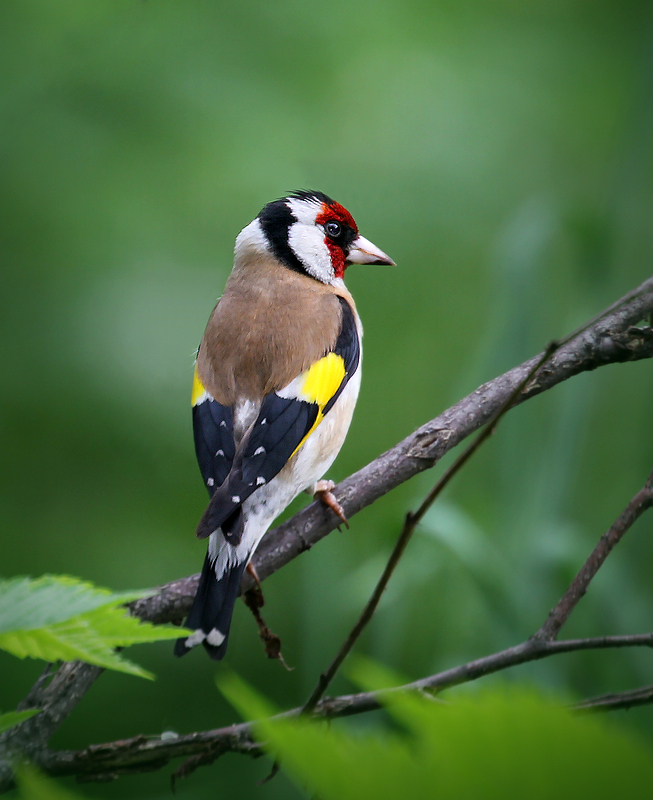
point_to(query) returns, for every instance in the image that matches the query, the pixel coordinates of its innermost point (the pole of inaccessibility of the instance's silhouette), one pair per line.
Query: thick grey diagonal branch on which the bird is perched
(607, 339)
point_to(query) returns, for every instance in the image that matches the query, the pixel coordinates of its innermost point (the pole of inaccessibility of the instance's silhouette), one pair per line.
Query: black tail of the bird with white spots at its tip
(210, 616)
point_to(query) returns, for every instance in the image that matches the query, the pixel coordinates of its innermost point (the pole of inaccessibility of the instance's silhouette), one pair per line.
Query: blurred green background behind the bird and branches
(500, 152)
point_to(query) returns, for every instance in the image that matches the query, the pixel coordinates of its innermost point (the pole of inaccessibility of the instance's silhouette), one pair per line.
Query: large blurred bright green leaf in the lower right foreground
(492, 744)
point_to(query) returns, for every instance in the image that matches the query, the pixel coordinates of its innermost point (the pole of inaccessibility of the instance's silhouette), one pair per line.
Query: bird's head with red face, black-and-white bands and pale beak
(310, 233)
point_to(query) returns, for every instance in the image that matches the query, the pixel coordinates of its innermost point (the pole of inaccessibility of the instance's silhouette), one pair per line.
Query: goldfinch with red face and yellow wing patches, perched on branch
(276, 379)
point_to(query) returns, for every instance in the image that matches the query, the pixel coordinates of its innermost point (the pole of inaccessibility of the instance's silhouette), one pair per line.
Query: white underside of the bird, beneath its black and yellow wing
(314, 458)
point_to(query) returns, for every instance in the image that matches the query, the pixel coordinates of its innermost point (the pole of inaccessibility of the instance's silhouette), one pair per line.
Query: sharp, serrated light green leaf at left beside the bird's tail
(59, 618)
